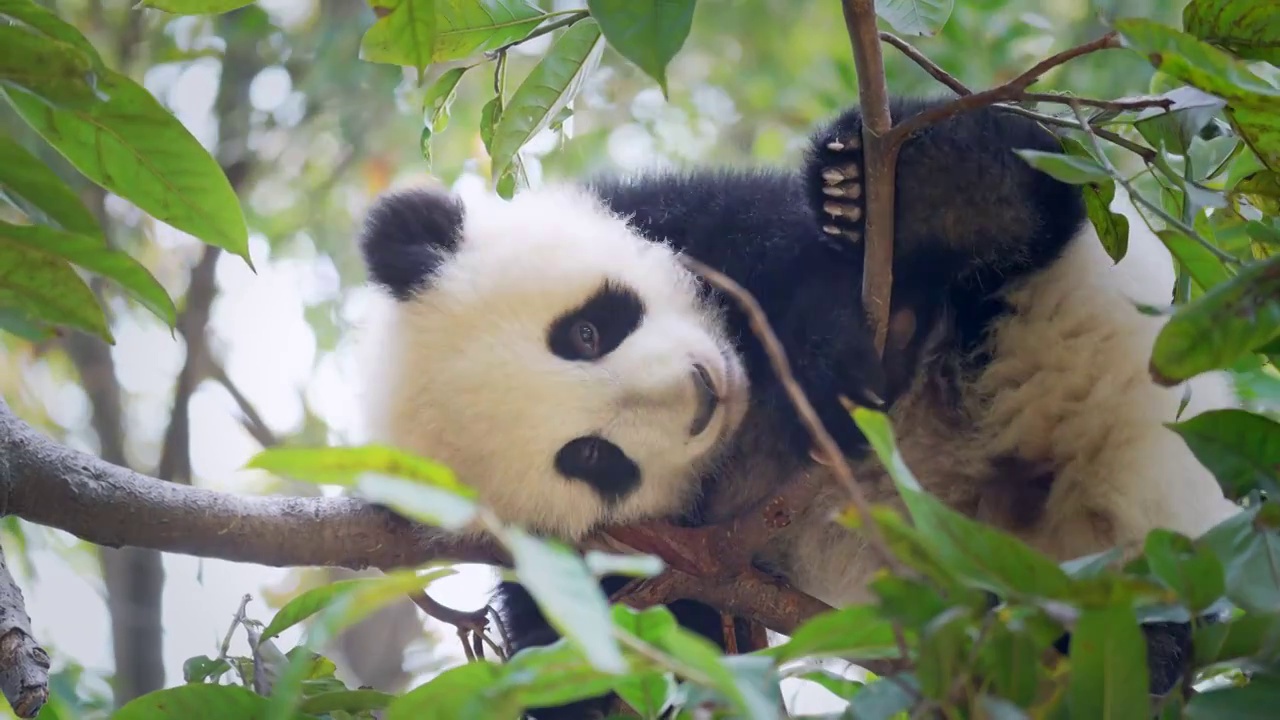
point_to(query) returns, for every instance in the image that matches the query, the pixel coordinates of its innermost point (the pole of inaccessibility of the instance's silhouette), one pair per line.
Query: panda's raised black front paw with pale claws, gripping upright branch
(835, 176)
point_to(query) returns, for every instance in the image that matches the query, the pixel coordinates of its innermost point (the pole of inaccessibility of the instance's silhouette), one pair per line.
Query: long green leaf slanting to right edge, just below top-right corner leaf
(1197, 63)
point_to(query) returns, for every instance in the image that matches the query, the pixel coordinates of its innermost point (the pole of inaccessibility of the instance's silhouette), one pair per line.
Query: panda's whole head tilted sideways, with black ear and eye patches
(568, 368)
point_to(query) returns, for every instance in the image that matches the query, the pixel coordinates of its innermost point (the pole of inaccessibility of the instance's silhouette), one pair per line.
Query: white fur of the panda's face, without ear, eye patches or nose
(464, 373)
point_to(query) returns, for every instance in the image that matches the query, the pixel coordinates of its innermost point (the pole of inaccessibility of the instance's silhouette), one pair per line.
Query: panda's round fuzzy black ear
(408, 235)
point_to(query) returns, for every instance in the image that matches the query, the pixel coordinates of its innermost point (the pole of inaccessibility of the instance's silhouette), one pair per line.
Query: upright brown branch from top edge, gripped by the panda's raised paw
(880, 160)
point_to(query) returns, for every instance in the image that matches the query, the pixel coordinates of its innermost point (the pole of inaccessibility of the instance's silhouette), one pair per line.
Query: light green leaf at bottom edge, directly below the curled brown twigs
(459, 692)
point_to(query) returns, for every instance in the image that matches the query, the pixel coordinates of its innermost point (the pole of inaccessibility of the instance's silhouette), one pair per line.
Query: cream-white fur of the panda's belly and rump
(1068, 388)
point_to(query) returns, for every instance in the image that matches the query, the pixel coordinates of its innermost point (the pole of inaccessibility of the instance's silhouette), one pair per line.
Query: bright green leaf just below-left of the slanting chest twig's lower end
(858, 632)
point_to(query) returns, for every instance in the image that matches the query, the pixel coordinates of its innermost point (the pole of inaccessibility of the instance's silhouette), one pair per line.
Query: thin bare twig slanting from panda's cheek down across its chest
(783, 370)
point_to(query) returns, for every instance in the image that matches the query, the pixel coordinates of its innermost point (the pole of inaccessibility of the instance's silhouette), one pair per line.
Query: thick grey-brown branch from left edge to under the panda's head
(48, 484)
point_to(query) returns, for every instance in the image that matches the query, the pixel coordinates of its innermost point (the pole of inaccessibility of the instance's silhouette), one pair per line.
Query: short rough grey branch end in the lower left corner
(24, 664)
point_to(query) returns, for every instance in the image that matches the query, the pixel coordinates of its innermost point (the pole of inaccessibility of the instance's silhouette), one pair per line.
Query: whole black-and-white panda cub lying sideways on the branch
(560, 358)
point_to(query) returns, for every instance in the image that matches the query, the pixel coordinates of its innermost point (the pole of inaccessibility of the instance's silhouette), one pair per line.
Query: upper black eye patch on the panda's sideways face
(597, 327)
